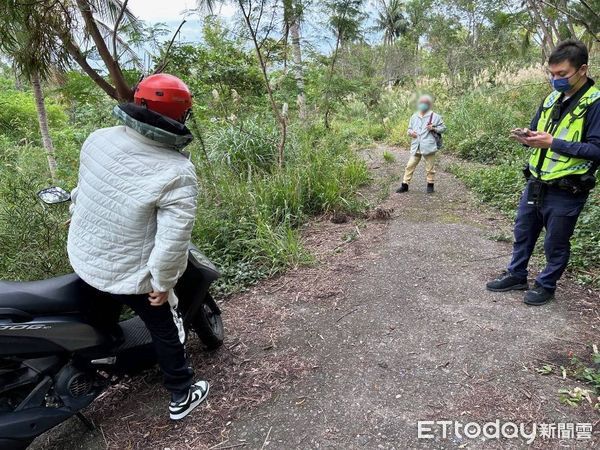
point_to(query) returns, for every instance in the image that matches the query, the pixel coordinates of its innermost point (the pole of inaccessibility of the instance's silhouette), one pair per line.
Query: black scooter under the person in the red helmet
(54, 362)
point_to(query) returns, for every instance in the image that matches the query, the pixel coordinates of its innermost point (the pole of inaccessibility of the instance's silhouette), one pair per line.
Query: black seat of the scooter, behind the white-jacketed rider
(60, 295)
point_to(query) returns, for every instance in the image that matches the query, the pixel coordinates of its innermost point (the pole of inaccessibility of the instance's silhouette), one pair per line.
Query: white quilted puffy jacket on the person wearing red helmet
(132, 214)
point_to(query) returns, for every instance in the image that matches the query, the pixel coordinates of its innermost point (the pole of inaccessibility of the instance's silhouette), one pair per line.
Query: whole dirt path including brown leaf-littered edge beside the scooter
(392, 326)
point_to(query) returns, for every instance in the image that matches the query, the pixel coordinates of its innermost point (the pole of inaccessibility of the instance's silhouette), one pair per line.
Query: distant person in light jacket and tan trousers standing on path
(425, 128)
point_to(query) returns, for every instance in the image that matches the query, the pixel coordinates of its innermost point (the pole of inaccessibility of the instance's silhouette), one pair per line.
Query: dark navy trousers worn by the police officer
(557, 213)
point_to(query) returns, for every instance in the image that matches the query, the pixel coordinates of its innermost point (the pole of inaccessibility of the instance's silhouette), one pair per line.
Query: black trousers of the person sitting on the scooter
(166, 329)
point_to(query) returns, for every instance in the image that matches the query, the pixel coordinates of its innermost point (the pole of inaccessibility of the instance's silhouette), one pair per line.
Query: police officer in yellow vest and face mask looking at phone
(565, 141)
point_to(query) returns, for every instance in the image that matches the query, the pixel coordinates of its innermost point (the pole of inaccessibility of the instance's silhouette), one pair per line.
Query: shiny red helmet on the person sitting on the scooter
(165, 94)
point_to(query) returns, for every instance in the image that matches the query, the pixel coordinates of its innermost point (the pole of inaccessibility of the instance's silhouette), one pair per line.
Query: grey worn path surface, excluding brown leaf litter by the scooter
(417, 337)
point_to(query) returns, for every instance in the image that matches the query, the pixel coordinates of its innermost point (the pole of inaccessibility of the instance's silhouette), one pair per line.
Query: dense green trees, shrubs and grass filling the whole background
(277, 117)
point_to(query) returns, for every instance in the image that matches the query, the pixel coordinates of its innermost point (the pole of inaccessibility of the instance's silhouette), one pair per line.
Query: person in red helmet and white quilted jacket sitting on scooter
(132, 217)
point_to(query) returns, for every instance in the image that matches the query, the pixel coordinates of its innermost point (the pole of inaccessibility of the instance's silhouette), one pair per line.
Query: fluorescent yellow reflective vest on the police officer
(547, 165)
